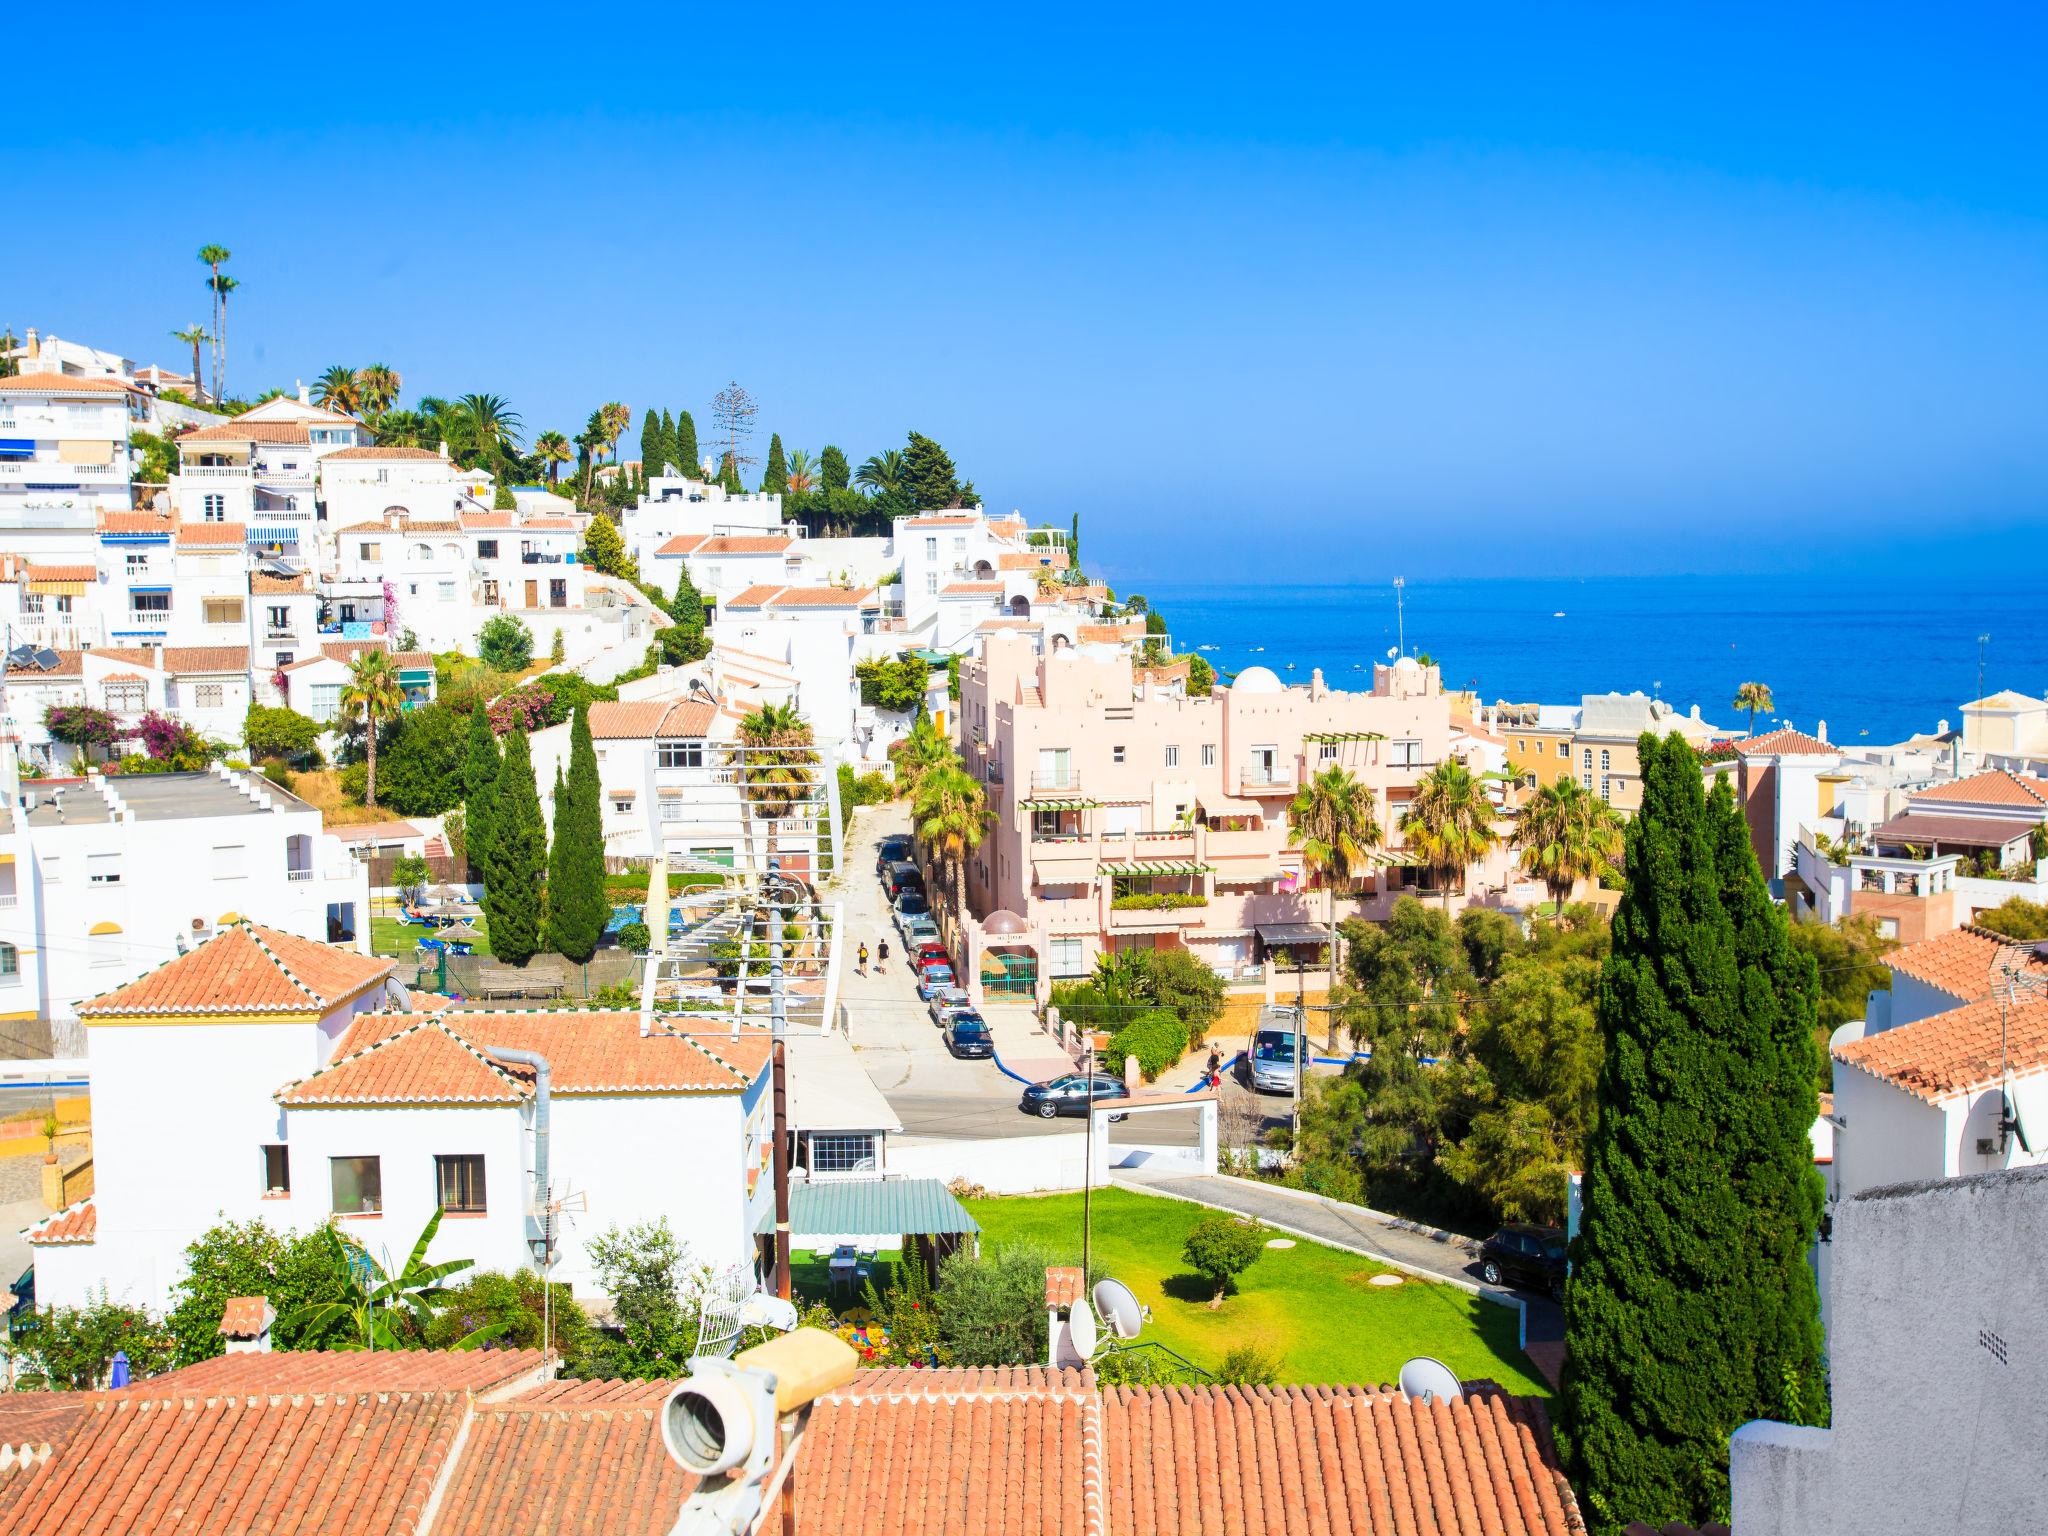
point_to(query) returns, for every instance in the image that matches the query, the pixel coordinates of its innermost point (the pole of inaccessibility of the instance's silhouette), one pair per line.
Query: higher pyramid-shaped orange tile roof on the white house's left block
(247, 968)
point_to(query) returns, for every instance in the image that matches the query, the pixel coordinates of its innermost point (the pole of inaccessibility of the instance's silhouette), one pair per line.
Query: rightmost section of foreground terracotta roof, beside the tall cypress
(1330, 1459)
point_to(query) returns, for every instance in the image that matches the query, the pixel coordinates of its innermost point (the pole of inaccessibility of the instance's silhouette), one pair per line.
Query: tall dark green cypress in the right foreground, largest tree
(1687, 1314)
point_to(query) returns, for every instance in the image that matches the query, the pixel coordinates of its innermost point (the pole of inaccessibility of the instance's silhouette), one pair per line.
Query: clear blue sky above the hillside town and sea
(1535, 290)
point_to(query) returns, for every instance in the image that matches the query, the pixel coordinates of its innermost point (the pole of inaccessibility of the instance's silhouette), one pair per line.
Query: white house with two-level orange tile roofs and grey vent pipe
(329, 1101)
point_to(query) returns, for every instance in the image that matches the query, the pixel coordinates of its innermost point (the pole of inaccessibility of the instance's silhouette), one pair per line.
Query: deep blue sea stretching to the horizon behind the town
(1873, 658)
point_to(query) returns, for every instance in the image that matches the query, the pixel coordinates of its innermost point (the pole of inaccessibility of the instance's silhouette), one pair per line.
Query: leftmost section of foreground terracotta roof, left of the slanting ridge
(361, 1463)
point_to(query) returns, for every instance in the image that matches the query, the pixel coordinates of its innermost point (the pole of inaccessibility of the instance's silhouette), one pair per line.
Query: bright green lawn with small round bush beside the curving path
(1310, 1306)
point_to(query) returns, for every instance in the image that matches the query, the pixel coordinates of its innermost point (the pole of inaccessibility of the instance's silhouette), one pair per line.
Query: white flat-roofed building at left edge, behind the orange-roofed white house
(114, 876)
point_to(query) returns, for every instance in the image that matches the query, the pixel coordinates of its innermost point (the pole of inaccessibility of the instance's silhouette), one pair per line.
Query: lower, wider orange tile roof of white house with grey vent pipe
(443, 1060)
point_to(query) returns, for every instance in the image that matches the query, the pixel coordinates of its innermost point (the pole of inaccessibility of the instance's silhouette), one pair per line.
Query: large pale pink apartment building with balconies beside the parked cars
(1132, 816)
